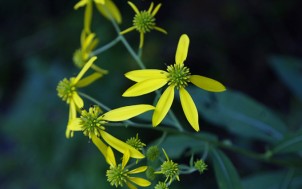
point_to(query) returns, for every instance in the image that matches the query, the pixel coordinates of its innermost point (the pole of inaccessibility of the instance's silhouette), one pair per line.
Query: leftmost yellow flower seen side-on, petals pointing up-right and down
(67, 90)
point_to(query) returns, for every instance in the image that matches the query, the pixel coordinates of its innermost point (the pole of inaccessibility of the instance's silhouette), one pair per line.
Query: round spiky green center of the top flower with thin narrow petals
(144, 22)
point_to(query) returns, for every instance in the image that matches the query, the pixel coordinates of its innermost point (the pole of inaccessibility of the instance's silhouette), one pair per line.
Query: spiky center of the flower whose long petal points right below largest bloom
(91, 121)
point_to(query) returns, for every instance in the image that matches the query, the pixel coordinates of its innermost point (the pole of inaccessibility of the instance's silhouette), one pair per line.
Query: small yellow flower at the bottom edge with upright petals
(118, 174)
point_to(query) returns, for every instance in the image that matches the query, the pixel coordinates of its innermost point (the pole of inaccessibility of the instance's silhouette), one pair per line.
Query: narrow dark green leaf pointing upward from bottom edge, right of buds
(225, 172)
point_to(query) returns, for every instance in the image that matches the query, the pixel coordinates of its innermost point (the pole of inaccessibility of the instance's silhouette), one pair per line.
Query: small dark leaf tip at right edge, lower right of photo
(289, 144)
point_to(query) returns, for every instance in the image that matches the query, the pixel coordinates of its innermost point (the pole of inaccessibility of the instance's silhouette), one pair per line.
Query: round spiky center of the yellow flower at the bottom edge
(117, 175)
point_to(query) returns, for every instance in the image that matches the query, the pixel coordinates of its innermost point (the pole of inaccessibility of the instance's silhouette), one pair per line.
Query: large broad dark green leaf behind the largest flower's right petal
(240, 114)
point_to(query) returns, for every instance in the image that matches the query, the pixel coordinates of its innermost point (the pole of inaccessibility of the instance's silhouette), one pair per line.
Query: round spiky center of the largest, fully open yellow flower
(179, 75)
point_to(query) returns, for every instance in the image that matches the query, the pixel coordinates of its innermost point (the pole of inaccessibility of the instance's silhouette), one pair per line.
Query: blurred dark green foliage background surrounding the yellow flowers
(231, 40)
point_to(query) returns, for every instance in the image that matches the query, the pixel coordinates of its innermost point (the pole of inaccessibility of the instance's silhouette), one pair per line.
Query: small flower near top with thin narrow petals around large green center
(144, 21)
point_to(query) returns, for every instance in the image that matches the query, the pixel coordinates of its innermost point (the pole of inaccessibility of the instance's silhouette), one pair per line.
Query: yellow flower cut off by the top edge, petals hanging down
(106, 7)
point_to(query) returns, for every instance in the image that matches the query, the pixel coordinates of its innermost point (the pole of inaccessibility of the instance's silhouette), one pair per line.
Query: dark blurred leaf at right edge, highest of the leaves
(289, 70)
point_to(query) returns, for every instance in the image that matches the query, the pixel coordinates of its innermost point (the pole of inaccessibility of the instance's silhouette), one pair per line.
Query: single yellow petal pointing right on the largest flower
(207, 84)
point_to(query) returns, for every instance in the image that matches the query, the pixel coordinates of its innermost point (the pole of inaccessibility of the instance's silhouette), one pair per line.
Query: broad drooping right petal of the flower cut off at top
(110, 10)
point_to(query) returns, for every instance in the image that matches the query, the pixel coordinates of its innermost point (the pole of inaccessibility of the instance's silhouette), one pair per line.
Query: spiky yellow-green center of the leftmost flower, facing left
(66, 90)
